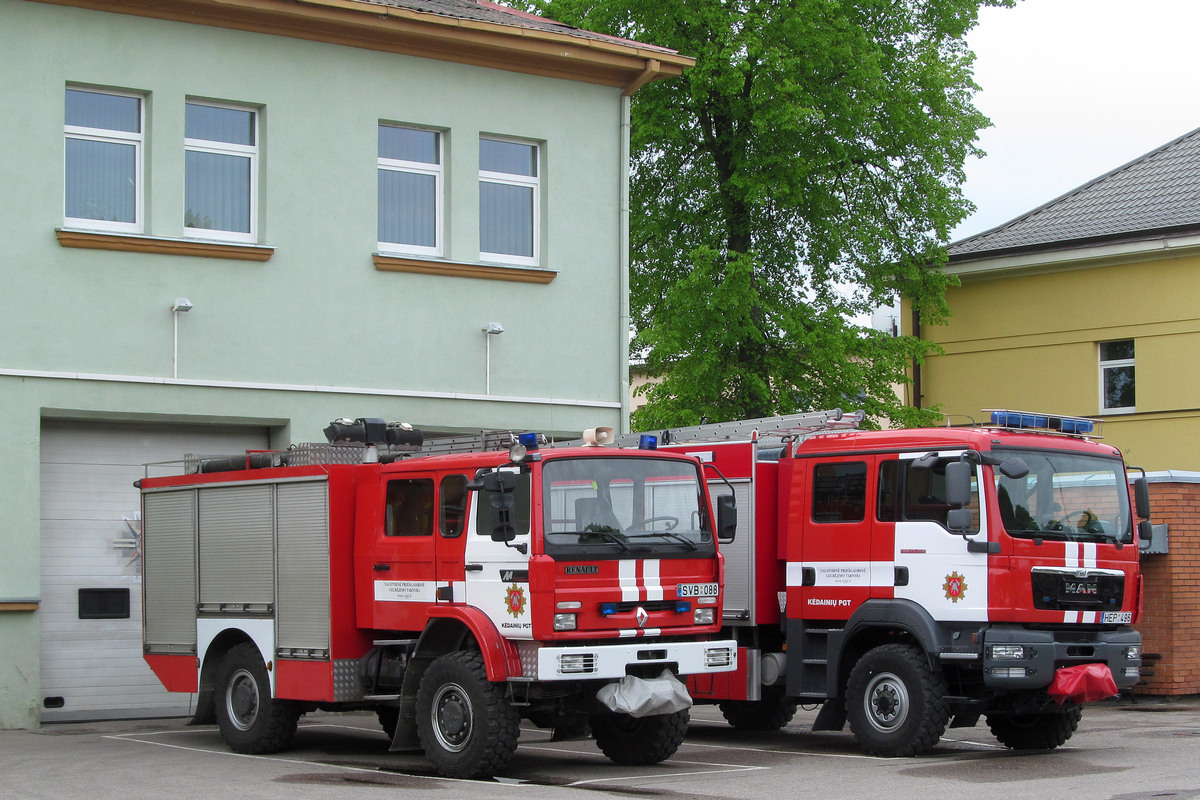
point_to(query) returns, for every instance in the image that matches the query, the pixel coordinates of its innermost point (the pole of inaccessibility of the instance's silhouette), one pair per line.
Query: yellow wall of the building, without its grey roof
(1031, 342)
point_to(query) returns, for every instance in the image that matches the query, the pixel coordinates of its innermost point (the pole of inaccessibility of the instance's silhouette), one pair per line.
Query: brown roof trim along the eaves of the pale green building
(607, 62)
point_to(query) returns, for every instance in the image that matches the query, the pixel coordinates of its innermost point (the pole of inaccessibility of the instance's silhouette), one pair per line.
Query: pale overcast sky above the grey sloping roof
(1075, 89)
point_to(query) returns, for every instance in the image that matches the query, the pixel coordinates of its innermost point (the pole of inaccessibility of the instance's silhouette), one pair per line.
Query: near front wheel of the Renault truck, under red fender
(465, 725)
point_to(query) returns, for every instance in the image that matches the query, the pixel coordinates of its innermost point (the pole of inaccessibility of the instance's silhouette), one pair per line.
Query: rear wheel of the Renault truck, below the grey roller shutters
(250, 720)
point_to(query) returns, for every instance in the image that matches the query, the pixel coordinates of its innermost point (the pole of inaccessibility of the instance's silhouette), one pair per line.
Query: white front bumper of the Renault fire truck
(614, 661)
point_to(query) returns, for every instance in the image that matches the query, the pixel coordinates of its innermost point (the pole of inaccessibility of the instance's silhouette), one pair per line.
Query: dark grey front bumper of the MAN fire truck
(1016, 658)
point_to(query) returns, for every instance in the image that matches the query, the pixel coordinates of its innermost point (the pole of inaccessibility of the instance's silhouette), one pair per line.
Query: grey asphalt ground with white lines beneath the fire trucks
(1123, 751)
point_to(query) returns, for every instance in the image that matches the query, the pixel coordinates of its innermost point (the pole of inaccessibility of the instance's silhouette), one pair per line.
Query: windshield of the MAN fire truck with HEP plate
(1069, 497)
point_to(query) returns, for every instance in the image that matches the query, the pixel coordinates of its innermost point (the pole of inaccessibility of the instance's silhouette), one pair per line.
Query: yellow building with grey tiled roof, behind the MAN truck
(1089, 305)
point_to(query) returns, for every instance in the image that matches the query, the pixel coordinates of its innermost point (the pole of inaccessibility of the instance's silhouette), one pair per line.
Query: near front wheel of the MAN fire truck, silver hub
(896, 703)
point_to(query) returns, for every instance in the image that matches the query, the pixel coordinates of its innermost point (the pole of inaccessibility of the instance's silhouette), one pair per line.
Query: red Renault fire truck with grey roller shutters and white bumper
(452, 593)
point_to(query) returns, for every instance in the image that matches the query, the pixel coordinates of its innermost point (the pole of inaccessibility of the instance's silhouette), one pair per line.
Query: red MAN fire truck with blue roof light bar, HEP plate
(908, 580)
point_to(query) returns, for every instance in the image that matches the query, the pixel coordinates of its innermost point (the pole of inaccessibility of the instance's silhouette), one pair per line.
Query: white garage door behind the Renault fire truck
(92, 572)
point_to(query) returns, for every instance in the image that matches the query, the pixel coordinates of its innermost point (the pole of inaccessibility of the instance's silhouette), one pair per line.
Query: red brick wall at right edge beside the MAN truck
(1171, 622)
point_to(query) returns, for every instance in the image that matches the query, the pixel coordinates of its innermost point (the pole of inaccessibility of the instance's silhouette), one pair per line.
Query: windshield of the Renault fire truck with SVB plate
(625, 508)
